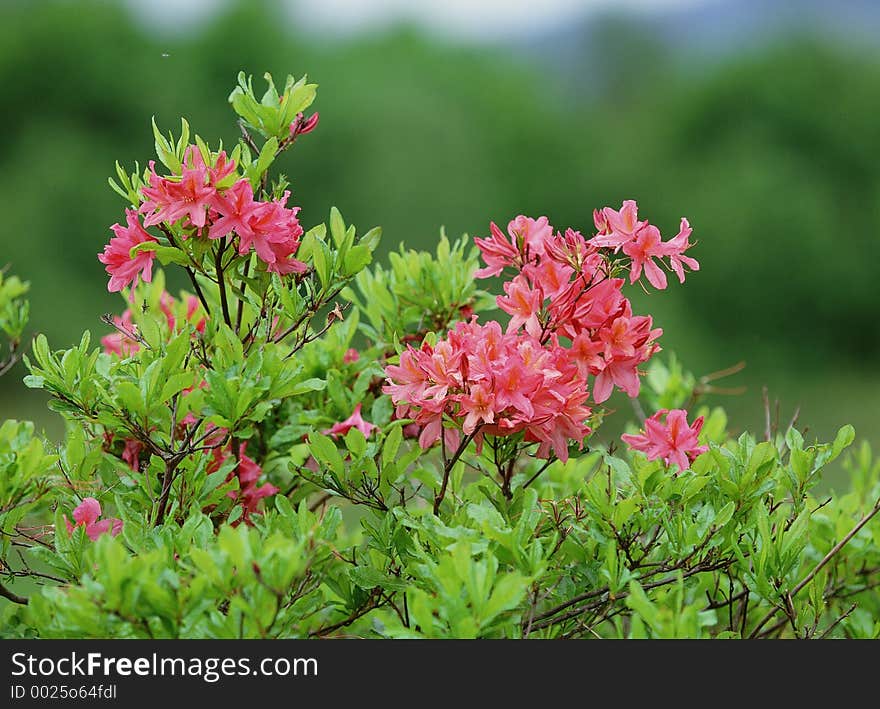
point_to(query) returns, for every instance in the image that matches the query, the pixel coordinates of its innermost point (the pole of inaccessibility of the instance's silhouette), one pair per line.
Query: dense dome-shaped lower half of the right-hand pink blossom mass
(501, 382)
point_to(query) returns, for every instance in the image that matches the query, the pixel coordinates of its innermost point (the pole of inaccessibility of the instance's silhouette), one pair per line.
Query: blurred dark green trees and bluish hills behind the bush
(764, 134)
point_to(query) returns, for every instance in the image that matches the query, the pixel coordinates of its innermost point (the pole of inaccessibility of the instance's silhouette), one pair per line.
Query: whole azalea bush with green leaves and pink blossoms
(304, 442)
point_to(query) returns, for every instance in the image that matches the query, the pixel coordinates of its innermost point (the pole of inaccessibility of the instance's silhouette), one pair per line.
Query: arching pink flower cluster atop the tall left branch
(196, 199)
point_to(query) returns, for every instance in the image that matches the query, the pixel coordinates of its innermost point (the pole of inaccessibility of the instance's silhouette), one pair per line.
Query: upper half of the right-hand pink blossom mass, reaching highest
(563, 288)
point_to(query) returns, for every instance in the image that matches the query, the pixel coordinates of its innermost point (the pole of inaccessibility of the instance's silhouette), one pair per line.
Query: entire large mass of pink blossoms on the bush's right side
(569, 321)
